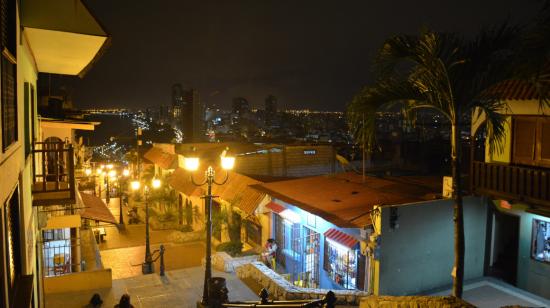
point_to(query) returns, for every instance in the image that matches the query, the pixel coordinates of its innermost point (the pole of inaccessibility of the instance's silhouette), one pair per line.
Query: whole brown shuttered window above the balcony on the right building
(531, 141)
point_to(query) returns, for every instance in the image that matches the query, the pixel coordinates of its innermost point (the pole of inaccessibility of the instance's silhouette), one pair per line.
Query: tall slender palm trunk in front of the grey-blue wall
(458, 270)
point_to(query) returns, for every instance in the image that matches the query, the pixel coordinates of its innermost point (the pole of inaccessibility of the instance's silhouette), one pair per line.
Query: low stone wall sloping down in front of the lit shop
(281, 289)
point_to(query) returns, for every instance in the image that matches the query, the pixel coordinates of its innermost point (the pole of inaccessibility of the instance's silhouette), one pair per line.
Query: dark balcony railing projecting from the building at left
(53, 174)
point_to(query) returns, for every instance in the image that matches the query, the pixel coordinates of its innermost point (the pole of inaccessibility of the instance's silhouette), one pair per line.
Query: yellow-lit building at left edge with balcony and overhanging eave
(36, 36)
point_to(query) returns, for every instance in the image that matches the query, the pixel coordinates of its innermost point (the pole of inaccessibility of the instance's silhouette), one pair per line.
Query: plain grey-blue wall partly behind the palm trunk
(418, 255)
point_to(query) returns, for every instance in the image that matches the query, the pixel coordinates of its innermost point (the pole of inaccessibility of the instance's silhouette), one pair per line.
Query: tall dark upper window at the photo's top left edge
(8, 73)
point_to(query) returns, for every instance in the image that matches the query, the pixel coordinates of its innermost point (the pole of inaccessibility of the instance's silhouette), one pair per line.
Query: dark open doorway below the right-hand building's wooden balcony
(504, 249)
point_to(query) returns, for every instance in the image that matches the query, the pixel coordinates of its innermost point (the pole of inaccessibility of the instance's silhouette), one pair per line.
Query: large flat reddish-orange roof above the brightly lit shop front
(344, 200)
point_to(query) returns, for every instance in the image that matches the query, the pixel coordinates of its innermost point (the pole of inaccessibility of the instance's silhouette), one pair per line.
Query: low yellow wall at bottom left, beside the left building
(78, 281)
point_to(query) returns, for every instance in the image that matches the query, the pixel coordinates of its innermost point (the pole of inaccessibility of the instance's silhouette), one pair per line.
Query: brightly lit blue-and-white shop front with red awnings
(313, 253)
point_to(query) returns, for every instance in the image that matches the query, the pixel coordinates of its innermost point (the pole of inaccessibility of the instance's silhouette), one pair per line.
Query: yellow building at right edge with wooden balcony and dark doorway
(517, 182)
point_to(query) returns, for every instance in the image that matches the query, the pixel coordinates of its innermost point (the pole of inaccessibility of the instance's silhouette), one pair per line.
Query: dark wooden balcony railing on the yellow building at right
(528, 184)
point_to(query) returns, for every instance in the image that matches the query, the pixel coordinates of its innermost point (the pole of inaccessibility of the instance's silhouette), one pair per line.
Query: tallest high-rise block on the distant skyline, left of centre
(188, 112)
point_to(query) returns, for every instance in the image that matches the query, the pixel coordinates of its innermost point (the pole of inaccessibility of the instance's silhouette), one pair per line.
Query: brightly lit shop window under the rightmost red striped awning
(341, 264)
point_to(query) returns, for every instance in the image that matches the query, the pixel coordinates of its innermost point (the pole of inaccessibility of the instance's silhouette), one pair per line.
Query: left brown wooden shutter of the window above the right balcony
(524, 141)
